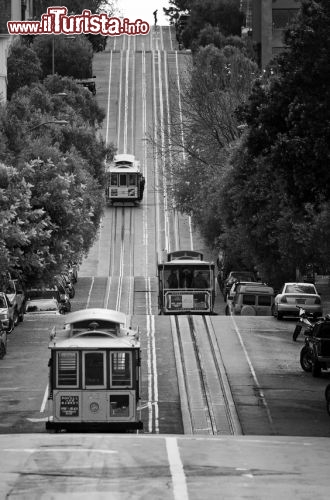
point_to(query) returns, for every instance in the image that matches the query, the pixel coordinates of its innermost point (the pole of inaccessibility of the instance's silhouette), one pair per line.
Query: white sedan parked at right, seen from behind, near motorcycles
(297, 294)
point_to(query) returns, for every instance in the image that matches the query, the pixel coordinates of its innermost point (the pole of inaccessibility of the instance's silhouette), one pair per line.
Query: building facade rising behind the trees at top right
(270, 18)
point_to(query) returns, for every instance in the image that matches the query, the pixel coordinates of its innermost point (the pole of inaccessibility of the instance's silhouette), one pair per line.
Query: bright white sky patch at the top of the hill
(143, 9)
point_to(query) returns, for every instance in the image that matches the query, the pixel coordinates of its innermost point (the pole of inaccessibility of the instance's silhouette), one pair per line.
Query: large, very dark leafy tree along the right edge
(283, 159)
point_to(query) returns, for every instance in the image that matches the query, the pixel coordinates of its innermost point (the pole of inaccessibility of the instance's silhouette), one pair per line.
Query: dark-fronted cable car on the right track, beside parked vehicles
(186, 283)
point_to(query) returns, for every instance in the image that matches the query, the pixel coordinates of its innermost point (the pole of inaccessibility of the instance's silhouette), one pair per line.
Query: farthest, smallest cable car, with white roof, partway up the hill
(125, 182)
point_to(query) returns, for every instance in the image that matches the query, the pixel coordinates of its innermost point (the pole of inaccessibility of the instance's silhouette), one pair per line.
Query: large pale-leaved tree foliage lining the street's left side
(51, 177)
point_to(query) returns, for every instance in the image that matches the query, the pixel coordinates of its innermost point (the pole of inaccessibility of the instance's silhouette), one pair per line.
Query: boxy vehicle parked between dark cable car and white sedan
(253, 299)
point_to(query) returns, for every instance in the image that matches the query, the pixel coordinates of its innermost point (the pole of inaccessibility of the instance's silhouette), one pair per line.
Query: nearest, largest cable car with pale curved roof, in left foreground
(94, 373)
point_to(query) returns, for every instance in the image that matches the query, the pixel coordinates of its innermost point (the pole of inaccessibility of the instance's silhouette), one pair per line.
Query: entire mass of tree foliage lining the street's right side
(256, 178)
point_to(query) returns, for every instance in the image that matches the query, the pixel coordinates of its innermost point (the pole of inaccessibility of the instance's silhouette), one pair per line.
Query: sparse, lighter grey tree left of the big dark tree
(197, 141)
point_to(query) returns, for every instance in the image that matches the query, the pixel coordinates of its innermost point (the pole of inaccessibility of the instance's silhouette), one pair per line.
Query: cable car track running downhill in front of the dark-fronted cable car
(206, 400)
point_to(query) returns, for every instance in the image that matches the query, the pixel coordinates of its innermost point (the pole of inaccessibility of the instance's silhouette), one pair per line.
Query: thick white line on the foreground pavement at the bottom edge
(180, 490)
